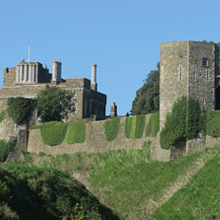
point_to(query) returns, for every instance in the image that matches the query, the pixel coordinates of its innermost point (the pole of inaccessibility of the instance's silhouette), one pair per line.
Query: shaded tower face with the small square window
(202, 78)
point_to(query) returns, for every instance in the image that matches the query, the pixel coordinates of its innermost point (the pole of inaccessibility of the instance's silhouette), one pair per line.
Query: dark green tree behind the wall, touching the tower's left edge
(147, 97)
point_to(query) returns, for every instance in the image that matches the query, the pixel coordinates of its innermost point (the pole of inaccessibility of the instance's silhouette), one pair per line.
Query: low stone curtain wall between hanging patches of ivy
(95, 141)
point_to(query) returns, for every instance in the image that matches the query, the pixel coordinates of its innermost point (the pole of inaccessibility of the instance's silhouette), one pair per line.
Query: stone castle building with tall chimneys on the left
(27, 79)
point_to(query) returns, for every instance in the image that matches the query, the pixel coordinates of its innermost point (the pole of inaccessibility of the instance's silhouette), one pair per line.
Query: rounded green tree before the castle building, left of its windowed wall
(53, 103)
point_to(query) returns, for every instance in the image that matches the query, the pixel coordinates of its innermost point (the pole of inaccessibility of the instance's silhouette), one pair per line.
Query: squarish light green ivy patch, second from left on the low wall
(76, 133)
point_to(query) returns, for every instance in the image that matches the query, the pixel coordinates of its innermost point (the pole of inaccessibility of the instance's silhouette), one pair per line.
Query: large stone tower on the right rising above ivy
(192, 69)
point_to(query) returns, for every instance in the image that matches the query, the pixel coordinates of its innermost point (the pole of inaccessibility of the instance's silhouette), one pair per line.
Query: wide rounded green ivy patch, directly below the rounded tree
(53, 133)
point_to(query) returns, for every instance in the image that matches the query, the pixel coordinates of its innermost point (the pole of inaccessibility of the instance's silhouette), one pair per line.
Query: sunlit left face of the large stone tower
(174, 61)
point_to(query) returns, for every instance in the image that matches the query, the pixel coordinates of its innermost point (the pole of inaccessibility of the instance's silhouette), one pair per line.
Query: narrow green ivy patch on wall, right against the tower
(153, 125)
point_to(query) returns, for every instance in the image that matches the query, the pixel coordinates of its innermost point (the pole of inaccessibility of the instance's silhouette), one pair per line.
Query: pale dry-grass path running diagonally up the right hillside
(179, 183)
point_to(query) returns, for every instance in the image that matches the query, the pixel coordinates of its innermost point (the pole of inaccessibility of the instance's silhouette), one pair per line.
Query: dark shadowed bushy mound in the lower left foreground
(33, 193)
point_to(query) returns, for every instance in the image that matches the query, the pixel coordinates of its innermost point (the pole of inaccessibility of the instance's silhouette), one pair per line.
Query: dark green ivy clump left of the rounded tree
(19, 109)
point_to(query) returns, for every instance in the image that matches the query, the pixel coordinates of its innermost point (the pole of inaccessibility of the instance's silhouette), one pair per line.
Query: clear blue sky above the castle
(122, 37)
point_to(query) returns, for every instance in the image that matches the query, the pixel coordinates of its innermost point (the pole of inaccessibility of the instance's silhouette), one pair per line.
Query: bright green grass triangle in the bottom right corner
(199, 199)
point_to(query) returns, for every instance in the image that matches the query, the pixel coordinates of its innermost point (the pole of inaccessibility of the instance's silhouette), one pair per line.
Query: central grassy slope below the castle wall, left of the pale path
(126, 180)
